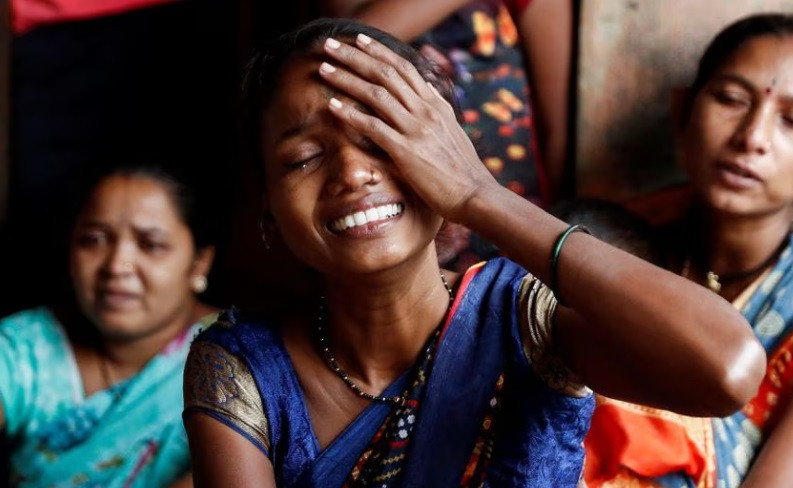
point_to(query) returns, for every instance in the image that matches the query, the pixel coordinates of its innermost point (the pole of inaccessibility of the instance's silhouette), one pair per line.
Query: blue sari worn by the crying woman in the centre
(483, 419)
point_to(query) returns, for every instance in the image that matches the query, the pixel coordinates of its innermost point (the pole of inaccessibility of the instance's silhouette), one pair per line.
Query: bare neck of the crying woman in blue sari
(378, 323)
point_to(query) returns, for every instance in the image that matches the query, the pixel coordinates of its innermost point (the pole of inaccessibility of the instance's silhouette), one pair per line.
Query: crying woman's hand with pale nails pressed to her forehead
(411, 122)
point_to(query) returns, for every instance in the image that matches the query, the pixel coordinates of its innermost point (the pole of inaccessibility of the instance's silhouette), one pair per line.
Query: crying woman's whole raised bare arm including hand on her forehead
(633, 331)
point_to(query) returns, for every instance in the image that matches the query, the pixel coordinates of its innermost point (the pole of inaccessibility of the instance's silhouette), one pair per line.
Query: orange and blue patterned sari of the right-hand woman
(634, 446)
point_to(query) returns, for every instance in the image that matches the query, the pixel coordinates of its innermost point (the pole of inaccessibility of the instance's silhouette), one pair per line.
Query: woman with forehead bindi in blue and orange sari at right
(736, 143)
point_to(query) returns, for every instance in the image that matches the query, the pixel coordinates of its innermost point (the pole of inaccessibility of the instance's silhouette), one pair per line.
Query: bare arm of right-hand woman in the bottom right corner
(772, 467)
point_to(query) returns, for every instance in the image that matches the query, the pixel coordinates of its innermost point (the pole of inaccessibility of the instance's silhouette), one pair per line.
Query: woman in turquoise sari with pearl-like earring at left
(90, 394)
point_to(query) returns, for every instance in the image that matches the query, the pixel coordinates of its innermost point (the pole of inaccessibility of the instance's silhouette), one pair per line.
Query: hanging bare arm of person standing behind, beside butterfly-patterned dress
(546, 31)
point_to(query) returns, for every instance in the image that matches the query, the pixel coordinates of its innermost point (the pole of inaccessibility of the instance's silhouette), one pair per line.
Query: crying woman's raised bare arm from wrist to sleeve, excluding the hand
(633, 331)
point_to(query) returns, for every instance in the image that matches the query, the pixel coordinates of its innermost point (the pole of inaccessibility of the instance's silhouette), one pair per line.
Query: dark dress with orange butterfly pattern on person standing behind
(482, 44)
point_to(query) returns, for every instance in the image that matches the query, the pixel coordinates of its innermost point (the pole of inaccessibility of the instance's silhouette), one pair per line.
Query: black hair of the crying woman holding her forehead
(262, 74)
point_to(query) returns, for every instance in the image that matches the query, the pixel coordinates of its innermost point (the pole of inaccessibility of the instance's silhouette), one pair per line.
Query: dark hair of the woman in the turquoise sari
(181, 184)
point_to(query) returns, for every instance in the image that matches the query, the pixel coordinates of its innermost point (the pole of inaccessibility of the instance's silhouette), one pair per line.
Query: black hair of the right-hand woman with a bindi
(729, 40)
